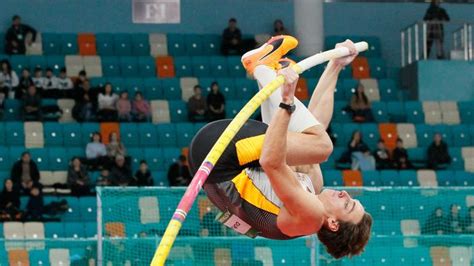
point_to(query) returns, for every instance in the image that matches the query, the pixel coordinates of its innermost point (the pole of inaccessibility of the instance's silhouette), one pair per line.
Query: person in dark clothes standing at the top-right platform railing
(436, 16)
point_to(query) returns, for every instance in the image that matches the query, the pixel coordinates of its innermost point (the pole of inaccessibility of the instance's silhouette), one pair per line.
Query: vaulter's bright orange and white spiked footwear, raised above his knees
(269, 53)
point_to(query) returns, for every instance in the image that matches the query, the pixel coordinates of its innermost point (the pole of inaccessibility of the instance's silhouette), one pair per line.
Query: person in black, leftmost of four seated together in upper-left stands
(85, 106)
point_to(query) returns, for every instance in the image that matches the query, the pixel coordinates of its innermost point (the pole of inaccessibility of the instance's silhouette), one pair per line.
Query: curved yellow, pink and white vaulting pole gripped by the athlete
(229, 133)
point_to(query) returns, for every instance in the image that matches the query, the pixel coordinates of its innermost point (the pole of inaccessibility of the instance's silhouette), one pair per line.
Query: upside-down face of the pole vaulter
(340, 206)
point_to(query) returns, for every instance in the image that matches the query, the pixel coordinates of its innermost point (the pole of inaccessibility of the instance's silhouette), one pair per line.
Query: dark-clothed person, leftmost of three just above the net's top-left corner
(78, 178)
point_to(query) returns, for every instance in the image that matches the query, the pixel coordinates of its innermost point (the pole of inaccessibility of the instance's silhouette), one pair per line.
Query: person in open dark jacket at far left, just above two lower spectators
(25, 173)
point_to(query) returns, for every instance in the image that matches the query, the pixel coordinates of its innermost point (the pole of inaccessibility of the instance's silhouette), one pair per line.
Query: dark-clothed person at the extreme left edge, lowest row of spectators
(9, 202)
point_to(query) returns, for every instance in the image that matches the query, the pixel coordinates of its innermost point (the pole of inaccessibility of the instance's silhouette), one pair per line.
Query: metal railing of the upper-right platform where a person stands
(417, 38)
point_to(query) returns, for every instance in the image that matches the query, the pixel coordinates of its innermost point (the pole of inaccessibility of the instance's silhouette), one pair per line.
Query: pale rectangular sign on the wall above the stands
(156, 11)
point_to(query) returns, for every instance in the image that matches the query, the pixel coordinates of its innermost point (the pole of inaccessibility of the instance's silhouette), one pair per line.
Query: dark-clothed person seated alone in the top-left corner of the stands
(17, 37)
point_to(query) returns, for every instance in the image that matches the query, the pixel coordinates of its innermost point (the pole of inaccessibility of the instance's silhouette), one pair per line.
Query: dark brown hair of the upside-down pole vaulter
(349, 240)
